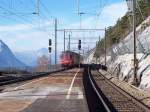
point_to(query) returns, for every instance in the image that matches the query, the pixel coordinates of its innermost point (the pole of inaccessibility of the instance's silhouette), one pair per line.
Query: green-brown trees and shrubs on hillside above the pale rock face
(123, 27)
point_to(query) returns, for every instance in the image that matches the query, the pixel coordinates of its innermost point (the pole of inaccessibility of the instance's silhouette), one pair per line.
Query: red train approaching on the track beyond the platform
(70, 59)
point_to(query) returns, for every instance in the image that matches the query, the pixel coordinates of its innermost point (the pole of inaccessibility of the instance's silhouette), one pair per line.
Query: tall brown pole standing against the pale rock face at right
(134, 36)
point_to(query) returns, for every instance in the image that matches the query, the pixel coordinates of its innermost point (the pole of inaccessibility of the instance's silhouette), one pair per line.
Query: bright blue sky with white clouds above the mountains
(22, 29)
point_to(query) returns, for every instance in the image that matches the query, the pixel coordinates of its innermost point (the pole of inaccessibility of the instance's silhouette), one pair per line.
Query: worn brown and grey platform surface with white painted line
(59, 92)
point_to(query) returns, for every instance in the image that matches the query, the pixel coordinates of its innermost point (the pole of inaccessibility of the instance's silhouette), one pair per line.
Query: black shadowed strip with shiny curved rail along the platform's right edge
(94, 101)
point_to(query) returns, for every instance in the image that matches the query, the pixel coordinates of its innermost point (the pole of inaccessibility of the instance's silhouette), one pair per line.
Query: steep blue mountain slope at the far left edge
(7, 58)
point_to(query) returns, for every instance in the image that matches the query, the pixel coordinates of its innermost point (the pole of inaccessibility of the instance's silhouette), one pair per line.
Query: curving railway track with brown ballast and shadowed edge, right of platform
(107, 97)
